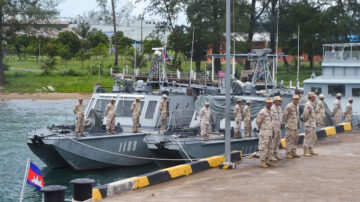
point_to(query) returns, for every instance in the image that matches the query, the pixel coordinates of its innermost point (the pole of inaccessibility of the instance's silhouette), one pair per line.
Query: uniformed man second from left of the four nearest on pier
(276, 114)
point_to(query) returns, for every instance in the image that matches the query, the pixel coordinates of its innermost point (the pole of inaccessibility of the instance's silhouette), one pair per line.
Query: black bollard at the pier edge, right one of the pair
(82, 188)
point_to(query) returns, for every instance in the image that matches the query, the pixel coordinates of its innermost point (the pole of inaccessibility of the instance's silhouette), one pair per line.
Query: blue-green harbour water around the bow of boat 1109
(17, 117)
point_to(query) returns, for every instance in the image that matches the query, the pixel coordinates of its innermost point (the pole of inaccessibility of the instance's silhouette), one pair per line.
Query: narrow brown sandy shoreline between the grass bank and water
(42, 96)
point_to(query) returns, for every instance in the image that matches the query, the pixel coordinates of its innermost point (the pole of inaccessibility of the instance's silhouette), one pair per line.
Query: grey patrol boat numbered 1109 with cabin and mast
(58, 146)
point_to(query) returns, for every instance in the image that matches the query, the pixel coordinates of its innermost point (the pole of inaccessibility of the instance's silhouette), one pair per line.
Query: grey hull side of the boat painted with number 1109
(104, 151)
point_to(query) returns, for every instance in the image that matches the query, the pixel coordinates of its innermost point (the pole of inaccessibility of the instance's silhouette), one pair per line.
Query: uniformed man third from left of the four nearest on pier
(291, 118)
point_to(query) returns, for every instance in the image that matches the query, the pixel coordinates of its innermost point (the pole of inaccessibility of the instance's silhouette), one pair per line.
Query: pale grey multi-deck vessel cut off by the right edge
(340, 74)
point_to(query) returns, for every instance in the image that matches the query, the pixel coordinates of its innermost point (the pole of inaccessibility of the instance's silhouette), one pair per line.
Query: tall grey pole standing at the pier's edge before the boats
(227, 86)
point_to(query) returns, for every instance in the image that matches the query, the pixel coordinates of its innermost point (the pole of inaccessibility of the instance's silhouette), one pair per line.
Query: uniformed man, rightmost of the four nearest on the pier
(309, 119)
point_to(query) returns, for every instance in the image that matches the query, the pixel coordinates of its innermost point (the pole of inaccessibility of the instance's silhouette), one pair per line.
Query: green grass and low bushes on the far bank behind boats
(74, 78)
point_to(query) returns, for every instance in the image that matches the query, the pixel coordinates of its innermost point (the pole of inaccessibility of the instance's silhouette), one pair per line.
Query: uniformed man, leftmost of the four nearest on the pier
(265, 125)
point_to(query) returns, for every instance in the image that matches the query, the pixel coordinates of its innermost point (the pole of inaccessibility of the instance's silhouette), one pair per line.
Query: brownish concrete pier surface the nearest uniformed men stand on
(332, 176)
